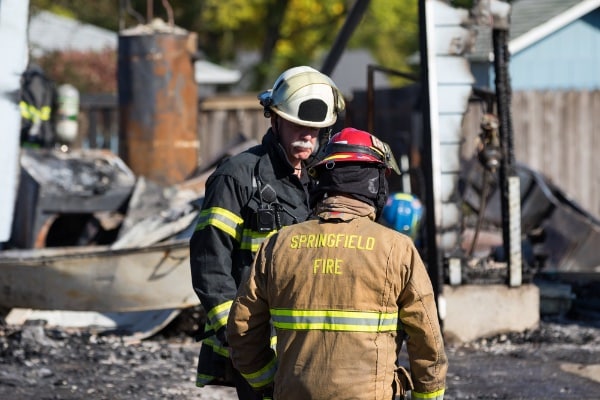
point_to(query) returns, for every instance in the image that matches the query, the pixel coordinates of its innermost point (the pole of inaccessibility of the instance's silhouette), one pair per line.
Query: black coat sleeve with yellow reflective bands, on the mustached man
(217, 234)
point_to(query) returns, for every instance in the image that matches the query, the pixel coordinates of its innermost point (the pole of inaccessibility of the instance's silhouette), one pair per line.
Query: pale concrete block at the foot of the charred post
(470, 312)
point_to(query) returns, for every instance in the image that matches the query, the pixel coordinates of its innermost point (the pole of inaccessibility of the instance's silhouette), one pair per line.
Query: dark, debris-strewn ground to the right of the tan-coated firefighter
(559, 360)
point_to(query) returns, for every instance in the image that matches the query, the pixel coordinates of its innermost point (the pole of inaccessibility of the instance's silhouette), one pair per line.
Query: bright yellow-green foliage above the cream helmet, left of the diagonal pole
(283, 32)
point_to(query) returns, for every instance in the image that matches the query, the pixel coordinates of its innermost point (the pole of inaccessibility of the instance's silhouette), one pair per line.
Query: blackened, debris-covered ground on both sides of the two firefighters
(560, 360)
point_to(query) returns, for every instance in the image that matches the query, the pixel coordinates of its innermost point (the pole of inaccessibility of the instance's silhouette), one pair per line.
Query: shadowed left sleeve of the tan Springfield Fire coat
(249, 328)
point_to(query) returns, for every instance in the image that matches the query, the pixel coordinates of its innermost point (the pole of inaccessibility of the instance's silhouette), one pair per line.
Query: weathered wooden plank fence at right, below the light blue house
(556, 134)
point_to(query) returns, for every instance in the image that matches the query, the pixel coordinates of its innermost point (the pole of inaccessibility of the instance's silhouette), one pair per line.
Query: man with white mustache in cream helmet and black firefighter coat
(249, 197)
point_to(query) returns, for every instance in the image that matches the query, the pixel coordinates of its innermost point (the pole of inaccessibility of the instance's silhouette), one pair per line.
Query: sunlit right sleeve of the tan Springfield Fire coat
(419, 317)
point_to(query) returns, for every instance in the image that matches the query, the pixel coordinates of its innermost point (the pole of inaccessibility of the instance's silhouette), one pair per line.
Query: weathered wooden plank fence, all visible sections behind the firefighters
(555, 133)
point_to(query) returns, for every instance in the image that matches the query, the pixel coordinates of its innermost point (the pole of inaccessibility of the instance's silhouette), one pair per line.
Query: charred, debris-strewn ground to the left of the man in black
(42, 363)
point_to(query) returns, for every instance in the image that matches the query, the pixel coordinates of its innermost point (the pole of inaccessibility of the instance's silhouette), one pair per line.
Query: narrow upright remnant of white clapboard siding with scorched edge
(450, 84)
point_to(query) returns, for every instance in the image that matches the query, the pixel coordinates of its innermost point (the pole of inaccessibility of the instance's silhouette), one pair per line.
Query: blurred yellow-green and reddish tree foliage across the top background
(278, 33)
